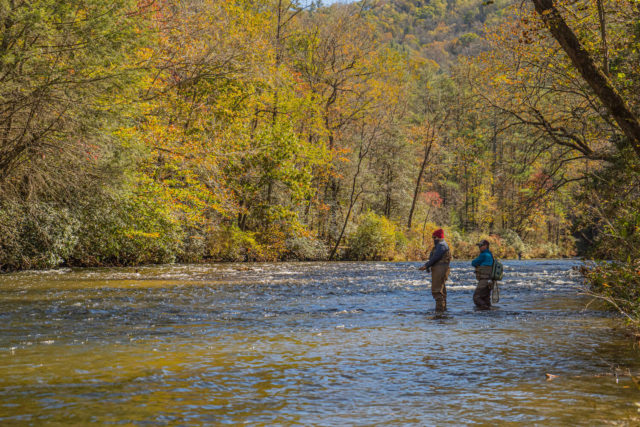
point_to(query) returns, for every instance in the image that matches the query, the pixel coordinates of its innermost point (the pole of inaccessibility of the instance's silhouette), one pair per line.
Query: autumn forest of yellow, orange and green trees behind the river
(139, 132)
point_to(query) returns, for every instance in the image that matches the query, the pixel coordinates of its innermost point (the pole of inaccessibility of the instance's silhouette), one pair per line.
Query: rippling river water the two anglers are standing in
(308, 344)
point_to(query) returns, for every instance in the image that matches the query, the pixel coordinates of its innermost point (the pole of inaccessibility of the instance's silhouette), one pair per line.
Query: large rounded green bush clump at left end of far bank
(124, 230)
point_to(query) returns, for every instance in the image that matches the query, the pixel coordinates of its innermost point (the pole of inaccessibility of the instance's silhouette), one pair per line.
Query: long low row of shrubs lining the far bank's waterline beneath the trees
(130, 231)
